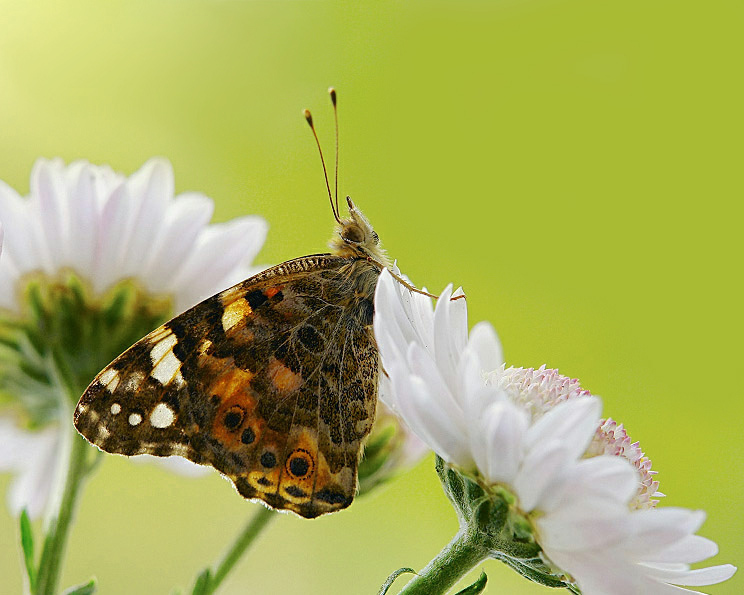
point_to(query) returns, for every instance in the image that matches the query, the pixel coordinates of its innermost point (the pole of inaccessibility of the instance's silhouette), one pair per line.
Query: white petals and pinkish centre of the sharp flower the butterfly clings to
(578, 481)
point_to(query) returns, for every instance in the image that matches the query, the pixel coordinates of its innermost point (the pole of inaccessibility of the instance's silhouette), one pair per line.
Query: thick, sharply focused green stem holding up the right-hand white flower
(458, 557)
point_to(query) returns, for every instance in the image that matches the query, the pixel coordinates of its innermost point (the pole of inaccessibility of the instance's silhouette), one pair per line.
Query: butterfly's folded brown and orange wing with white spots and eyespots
(273, 382)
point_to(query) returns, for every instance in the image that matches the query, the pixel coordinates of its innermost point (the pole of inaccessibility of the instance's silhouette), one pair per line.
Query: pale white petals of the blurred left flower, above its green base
(107, 227)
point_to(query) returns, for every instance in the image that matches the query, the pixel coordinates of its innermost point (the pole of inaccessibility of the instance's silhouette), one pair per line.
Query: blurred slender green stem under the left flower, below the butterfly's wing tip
(59, 528)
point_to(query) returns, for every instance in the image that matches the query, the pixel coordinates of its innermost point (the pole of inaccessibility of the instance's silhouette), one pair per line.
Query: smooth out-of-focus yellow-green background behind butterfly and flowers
(575, 165)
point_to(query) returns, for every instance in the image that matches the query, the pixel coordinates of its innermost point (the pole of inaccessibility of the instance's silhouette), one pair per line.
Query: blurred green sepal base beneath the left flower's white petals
(65, 335)
